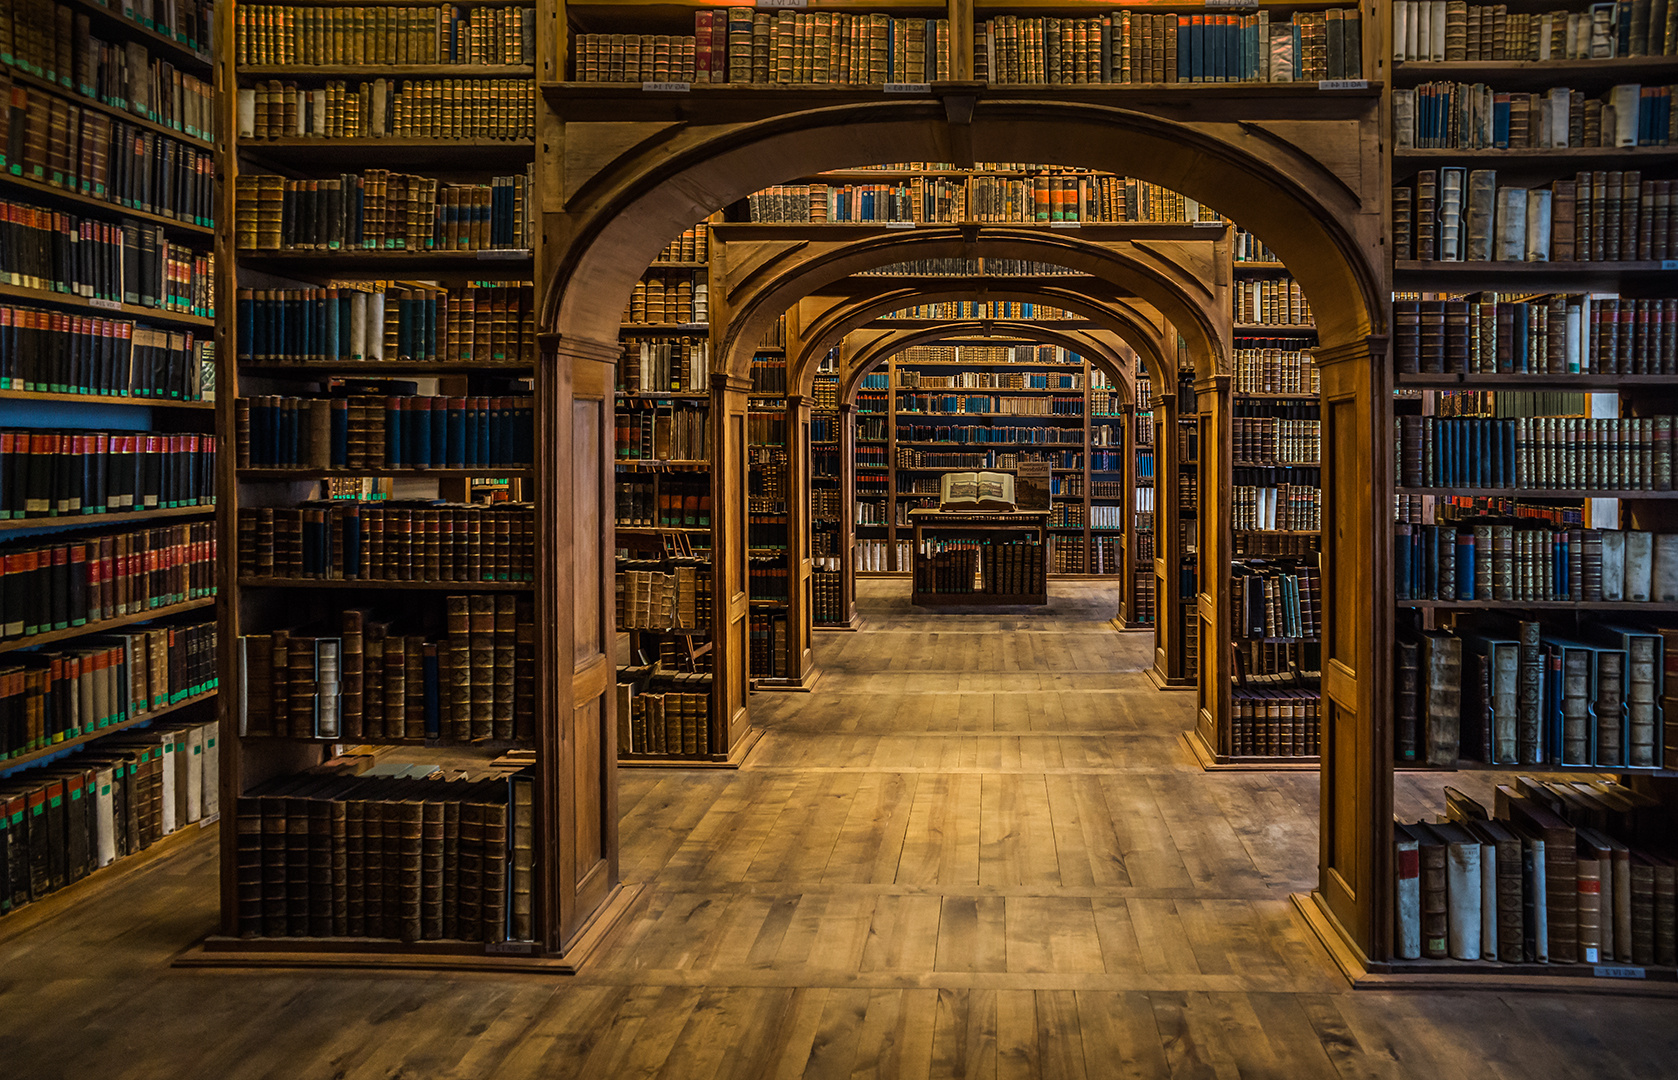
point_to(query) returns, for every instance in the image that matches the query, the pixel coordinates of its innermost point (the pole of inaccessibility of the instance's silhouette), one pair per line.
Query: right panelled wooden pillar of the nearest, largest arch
(1355, 873)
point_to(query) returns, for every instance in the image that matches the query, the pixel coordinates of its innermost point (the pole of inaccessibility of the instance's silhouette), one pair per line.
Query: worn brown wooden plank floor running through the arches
(977, 851)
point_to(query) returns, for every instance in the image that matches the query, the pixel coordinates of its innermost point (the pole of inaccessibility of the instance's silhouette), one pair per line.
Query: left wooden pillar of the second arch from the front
(731, 588)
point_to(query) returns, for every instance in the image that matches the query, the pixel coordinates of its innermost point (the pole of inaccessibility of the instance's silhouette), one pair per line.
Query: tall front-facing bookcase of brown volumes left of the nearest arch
(397, 434)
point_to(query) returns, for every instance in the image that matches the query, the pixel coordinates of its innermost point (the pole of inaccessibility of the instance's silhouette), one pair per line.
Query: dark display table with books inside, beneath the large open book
(971, 558)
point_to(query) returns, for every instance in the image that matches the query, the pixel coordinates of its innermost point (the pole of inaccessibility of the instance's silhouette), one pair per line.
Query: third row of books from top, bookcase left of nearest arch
(382, 210)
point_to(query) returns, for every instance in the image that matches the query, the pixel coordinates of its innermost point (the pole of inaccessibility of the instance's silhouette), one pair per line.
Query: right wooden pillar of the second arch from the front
(1212, 400)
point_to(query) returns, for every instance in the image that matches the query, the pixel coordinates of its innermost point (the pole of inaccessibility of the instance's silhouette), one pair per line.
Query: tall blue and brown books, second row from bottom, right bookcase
(1519, 693)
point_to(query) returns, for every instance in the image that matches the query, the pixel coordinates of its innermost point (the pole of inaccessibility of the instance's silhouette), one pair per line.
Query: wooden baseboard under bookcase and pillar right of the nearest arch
(1477, 975)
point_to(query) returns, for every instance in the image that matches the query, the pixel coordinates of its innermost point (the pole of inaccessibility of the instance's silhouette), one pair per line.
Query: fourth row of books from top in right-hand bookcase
(1545, 335)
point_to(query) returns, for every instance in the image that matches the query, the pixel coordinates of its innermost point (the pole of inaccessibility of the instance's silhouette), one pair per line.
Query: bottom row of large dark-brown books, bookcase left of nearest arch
(387, 856)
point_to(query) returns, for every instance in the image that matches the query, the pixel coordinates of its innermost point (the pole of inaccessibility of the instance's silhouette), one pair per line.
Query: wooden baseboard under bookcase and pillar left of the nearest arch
(219, 952)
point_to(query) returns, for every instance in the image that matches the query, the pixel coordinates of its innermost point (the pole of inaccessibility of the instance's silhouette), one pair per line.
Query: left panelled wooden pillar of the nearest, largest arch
(576, 702)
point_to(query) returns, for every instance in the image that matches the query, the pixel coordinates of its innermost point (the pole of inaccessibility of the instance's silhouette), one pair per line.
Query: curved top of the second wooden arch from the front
(1180, 279)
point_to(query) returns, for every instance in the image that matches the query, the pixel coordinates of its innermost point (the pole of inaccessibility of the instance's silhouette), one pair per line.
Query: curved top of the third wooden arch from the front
(1130, 323)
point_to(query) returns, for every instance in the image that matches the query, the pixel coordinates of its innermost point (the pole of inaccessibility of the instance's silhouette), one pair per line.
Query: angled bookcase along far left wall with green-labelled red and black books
(110, 449)
